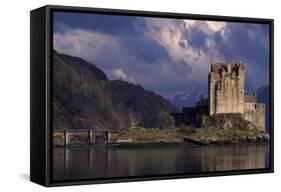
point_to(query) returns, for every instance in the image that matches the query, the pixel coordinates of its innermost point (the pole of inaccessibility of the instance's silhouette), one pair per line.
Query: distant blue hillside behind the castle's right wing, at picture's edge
(263, 95)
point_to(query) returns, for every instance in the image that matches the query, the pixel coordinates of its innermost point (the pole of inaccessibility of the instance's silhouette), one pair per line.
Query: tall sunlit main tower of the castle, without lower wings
(226, 88)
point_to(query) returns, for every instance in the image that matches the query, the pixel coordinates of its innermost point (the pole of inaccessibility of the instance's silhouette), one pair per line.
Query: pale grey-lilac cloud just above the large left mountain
(98, 48)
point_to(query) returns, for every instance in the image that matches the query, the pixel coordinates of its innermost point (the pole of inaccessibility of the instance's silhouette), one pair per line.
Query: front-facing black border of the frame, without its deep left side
(49, 58)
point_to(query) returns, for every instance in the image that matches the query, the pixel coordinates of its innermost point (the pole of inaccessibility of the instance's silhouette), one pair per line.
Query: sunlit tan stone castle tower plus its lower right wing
(226, 93)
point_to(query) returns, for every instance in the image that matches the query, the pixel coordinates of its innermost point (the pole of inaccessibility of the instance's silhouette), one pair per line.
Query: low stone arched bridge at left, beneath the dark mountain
(83, 137)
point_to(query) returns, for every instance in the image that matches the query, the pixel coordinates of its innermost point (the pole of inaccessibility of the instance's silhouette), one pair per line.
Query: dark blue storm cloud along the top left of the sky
(129, 30)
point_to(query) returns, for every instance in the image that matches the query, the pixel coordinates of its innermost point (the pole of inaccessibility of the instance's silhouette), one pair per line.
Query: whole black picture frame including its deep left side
(41, 42)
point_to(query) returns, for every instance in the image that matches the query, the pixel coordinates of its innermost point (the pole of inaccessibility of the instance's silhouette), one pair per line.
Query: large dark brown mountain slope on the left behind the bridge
(83, 97)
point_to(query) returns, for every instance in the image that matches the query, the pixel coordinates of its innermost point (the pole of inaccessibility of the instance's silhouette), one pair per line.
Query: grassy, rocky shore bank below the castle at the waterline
(212, 135)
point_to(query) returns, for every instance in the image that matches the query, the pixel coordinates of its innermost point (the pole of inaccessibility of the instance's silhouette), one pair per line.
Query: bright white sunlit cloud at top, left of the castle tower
(187, 41)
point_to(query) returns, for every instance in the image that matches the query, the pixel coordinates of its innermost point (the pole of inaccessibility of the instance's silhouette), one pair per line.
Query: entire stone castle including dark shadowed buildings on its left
(226, 90)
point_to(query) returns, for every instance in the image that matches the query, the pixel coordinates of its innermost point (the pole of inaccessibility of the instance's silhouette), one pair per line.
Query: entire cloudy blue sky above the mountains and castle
(167, 56)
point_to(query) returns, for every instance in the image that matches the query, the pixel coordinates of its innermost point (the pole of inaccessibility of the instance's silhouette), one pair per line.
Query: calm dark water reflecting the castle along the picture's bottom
(102, 162)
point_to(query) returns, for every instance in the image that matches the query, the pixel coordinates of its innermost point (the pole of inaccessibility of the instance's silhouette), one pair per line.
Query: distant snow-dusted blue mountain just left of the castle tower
(187, 99)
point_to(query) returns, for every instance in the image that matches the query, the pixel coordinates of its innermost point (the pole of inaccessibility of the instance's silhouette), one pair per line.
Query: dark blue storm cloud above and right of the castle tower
(245, 41)
